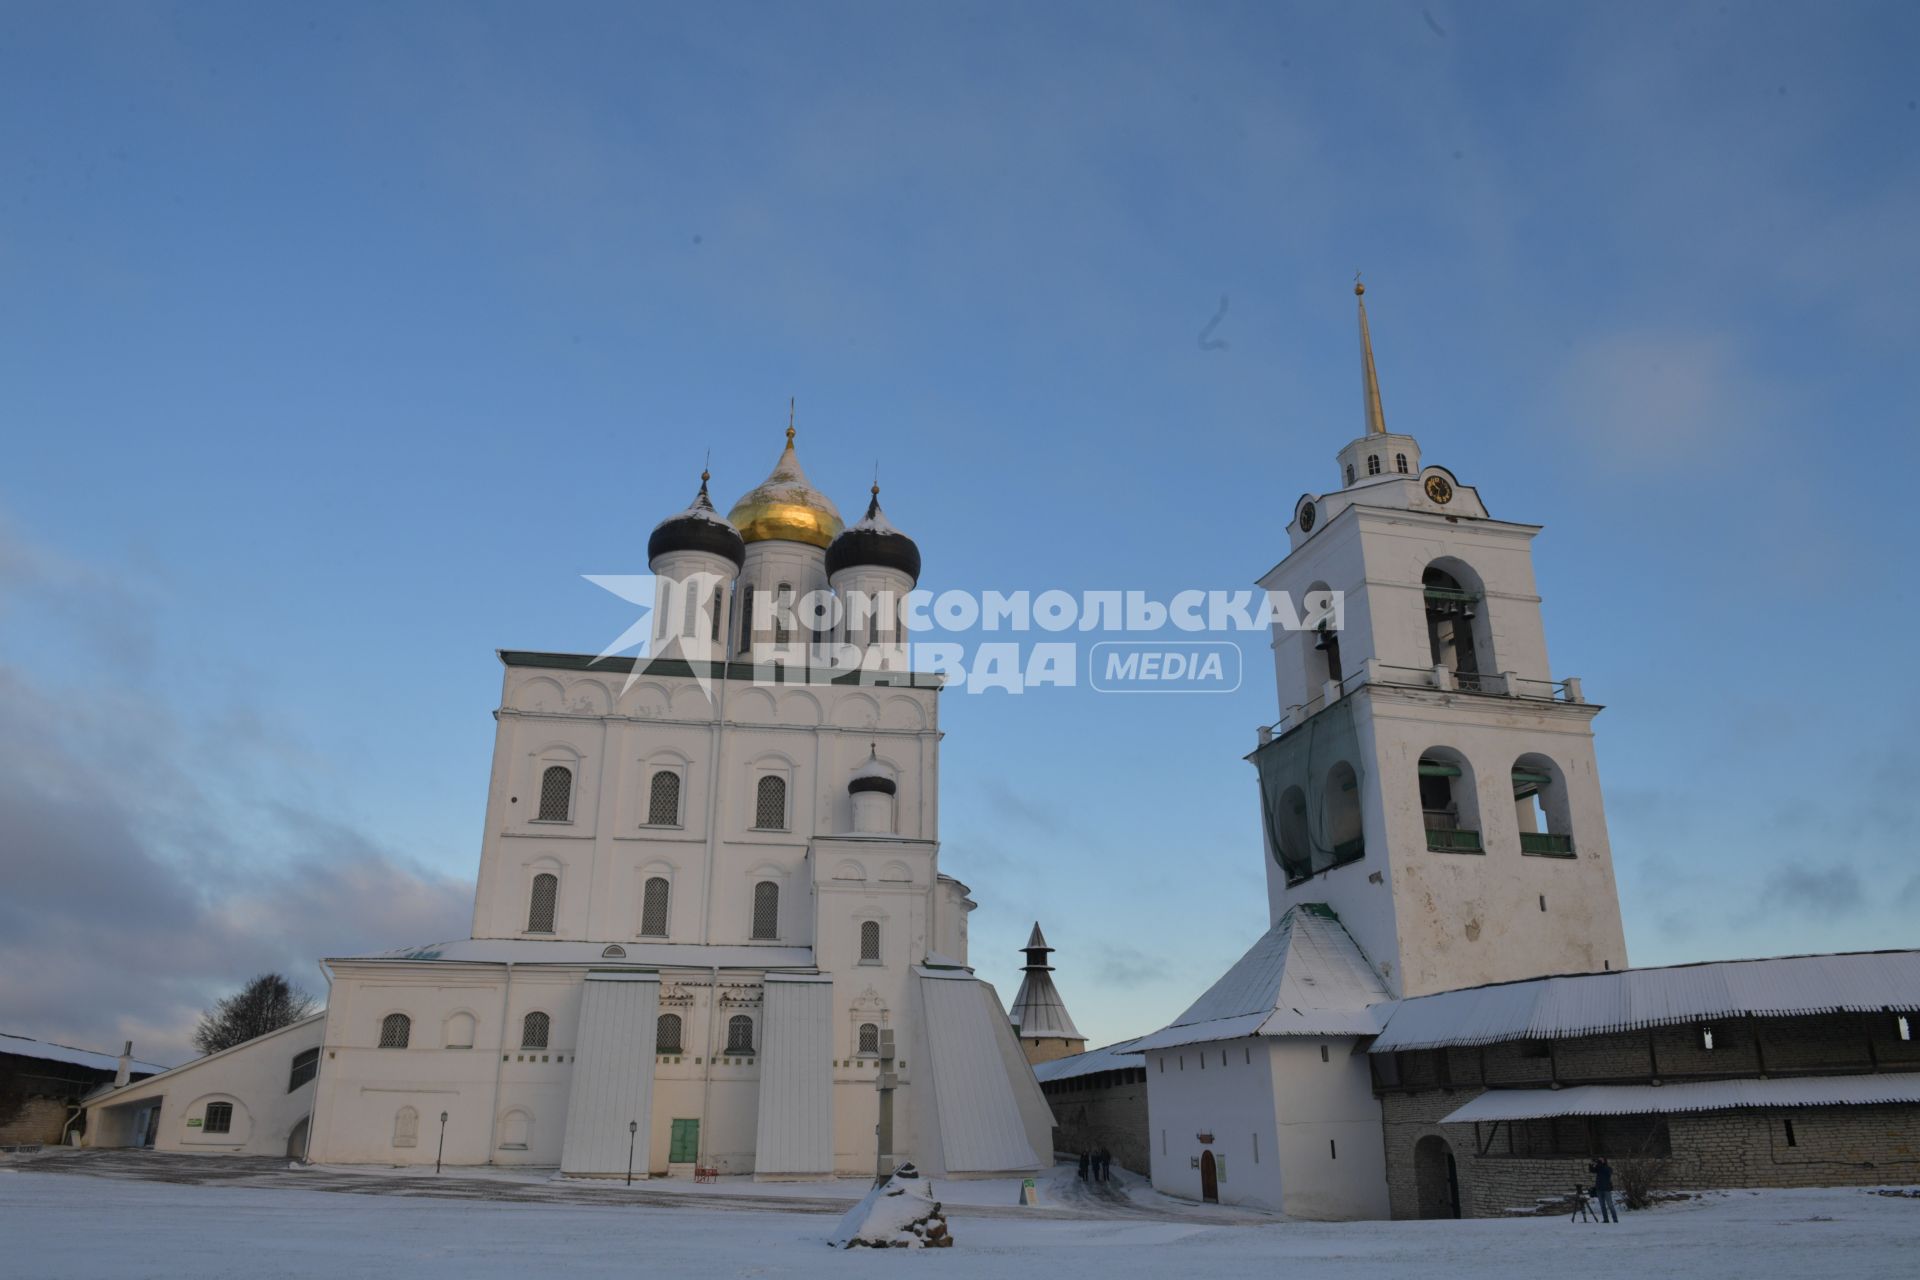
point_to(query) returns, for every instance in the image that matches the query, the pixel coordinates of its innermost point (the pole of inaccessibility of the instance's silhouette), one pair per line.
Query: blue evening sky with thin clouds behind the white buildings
(339, 343)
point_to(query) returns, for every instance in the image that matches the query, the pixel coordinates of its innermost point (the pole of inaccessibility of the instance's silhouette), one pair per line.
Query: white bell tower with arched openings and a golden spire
(1429, 778)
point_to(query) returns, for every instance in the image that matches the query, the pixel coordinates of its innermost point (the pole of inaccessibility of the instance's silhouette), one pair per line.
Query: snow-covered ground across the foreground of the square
(108, 1229)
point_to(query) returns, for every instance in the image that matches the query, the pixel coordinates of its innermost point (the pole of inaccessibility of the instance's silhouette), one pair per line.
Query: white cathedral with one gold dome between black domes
(709, 903)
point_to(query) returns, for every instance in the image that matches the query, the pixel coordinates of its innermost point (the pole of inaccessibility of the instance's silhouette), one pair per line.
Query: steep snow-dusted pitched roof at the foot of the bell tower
(1305, 978)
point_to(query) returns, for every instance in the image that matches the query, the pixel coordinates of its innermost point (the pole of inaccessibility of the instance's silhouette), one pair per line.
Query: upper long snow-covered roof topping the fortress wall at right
(1598, 1003)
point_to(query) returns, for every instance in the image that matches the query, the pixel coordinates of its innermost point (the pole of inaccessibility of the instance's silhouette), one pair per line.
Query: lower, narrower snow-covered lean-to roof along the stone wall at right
(1827, 1091)
